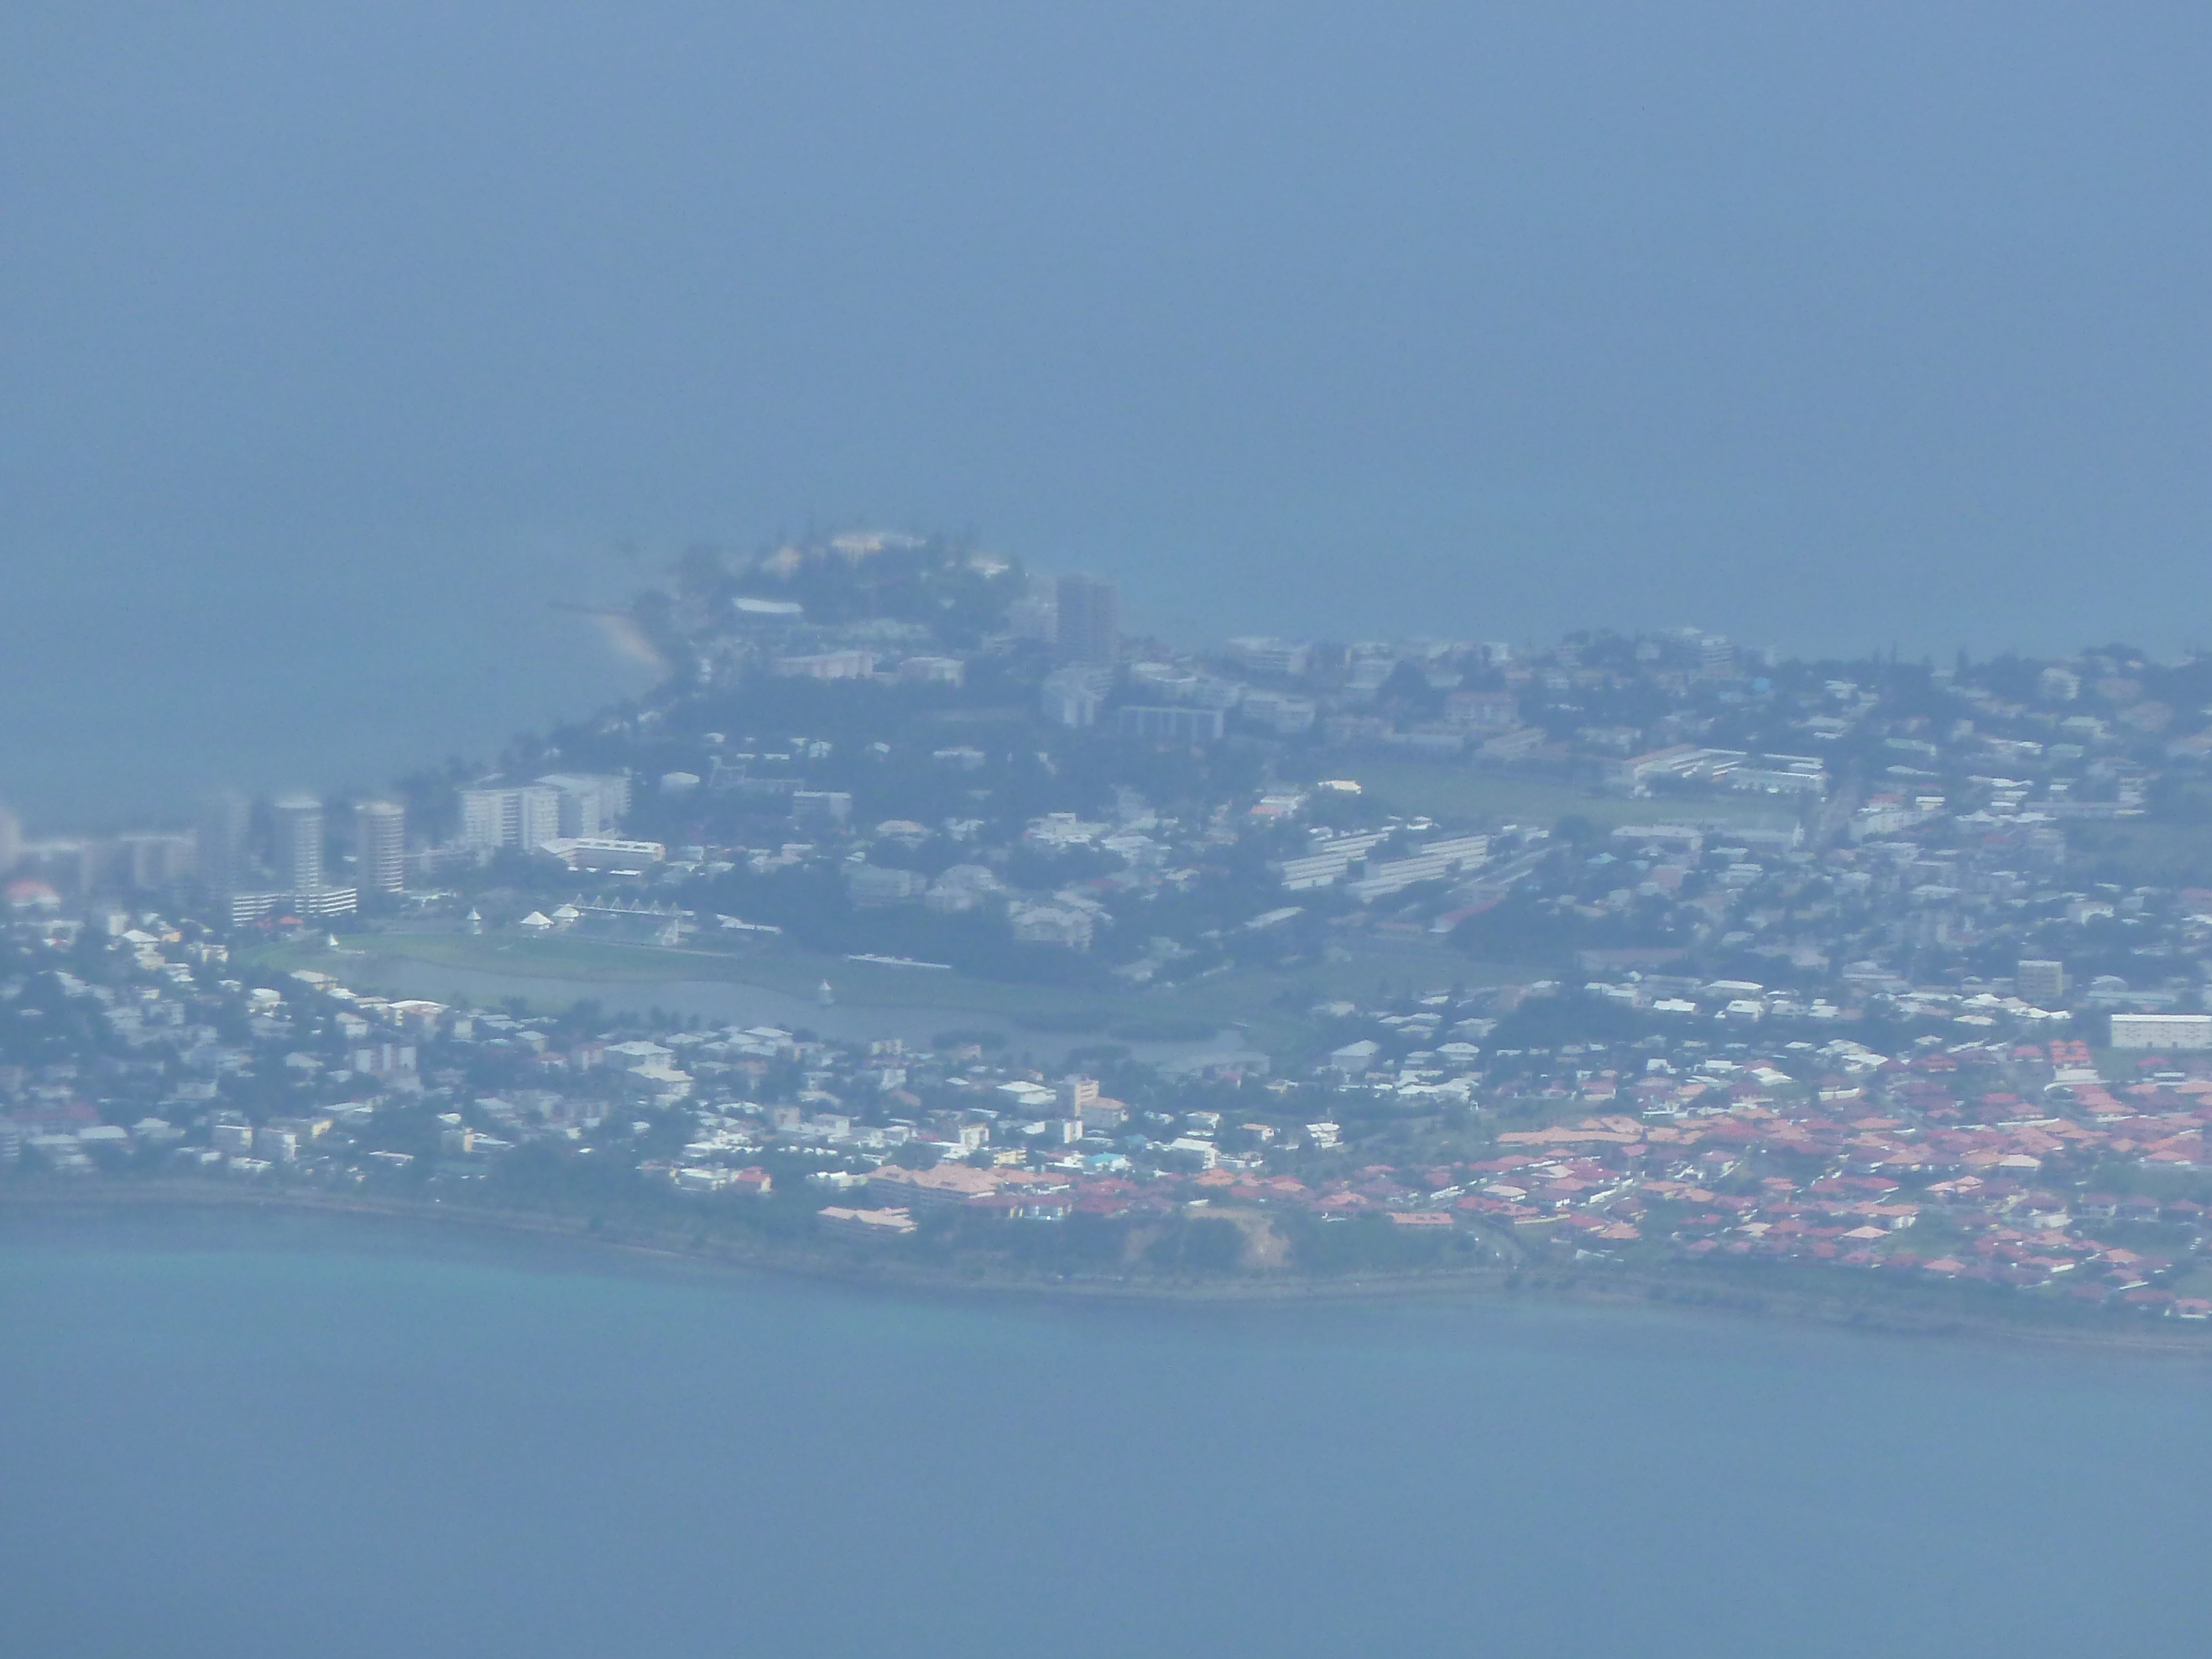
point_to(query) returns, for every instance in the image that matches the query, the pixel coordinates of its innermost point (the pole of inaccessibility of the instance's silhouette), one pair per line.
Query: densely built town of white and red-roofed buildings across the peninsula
(1642, 959)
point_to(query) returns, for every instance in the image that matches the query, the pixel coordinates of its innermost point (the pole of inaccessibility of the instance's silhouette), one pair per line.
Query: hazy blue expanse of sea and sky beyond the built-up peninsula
(337, 348)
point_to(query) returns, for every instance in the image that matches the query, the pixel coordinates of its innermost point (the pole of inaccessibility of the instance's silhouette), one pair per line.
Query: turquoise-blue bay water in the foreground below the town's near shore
(282, 1437)
